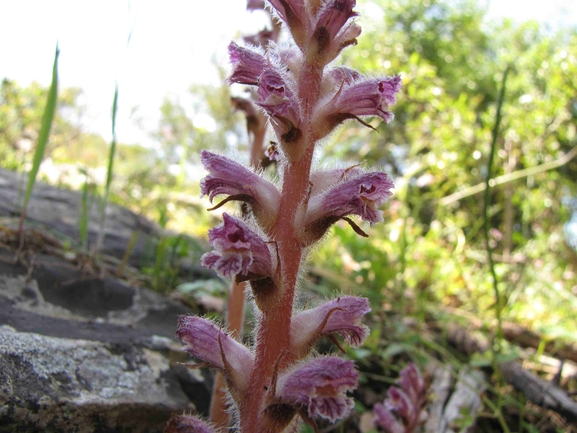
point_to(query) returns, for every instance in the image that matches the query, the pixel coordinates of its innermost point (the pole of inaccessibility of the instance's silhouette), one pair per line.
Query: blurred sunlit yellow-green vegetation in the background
(429, 259)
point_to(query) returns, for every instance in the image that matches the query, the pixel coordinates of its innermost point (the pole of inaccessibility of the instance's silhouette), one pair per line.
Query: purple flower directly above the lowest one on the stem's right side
(342, 315)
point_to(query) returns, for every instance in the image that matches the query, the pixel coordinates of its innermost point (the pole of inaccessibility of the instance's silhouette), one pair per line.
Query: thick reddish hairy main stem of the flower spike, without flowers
(273, 336)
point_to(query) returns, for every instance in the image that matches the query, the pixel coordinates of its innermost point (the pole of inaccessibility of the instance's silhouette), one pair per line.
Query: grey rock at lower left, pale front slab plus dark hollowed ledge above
(67, 367)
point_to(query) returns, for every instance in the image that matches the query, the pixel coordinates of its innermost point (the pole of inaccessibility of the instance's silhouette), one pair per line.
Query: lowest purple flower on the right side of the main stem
(320, 387)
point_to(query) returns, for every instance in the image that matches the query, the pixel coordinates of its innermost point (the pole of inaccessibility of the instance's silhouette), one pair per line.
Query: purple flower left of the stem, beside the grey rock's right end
(204, 340)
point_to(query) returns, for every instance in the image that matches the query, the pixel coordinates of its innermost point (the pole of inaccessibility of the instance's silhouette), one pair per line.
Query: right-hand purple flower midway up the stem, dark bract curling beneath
(361, 196)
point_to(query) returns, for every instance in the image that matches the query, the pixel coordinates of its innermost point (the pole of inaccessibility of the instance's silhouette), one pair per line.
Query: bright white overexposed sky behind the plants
(171, 47)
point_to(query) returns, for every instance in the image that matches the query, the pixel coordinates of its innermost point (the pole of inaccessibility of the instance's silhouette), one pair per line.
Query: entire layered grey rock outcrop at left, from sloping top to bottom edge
(81, 350)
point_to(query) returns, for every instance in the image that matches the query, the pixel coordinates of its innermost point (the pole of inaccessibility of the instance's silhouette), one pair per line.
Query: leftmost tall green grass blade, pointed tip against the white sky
(43, 136)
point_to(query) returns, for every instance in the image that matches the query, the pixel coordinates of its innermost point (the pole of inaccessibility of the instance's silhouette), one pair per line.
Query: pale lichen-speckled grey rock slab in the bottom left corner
(64, 385)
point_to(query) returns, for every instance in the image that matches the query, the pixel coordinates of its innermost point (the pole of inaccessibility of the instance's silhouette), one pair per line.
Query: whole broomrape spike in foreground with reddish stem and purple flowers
(280, 381)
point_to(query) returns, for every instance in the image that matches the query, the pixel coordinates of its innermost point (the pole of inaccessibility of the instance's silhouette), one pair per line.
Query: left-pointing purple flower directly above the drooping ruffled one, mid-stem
(228, 177)
